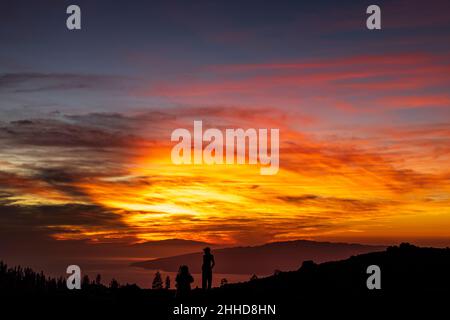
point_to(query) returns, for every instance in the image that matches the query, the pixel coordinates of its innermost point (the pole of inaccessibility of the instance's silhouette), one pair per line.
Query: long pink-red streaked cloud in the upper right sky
(388, 80)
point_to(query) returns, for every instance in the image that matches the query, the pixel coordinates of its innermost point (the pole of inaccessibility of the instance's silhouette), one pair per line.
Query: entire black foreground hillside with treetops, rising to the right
(411, 277)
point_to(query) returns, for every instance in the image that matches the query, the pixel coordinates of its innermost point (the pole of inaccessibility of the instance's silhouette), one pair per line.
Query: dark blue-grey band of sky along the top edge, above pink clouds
(115, 34)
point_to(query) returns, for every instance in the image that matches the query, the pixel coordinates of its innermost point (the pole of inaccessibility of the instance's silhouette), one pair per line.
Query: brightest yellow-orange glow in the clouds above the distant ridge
(212, 202)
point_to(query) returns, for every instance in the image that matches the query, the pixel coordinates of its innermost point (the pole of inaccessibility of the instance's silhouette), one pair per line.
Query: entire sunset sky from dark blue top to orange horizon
(86, 118)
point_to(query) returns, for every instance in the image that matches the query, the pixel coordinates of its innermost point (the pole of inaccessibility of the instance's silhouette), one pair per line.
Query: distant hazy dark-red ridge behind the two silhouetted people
(264, 259)
